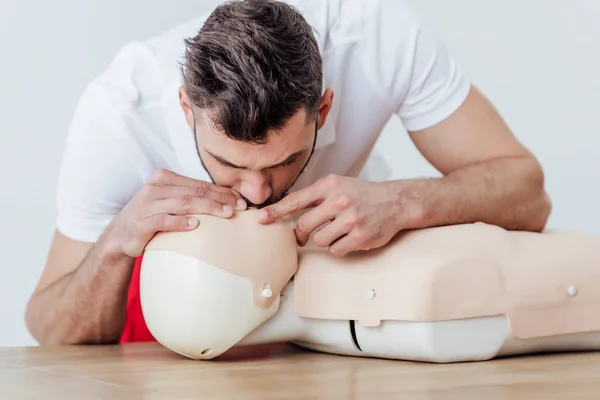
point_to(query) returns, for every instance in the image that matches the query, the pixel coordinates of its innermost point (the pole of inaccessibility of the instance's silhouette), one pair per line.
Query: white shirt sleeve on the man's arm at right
(410, 66)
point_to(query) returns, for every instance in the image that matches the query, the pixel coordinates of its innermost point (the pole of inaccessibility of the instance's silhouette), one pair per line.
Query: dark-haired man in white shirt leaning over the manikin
(251, 120)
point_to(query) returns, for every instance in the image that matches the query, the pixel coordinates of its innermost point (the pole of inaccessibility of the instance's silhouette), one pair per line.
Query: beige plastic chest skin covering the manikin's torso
(545, 283)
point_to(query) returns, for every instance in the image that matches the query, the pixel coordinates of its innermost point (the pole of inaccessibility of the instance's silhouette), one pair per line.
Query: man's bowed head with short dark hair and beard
(253, 95)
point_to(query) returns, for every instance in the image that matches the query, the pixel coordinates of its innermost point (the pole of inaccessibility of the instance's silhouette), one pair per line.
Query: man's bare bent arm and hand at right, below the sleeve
(488, 176)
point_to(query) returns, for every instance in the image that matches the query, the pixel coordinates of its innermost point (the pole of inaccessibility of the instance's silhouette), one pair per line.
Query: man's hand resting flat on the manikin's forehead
(164, 204)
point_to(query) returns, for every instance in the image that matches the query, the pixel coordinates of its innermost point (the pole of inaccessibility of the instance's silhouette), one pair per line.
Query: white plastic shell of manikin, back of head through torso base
(221, 310)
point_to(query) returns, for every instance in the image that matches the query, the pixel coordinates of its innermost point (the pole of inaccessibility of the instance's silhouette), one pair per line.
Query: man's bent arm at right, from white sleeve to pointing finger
(488, 175)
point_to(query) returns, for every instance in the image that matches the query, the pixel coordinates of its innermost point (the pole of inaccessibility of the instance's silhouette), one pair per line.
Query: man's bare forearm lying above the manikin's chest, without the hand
(507, 192)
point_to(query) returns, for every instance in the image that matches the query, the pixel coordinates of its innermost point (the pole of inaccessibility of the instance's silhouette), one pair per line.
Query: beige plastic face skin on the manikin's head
(265, 254)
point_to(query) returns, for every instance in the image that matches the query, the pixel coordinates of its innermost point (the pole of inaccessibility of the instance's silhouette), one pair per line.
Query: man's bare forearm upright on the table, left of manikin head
(86, 306)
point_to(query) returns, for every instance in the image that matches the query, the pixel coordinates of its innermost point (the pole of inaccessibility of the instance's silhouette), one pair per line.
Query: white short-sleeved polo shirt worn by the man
(379, 59)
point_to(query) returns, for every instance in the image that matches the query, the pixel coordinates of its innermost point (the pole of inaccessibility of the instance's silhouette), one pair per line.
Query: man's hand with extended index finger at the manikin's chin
(360, 215)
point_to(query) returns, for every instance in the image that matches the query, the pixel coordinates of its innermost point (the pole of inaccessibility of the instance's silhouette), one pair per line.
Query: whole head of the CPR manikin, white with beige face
(203, 291)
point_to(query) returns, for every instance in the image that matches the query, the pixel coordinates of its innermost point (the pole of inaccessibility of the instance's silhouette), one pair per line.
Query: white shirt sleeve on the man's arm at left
(98, 175)
